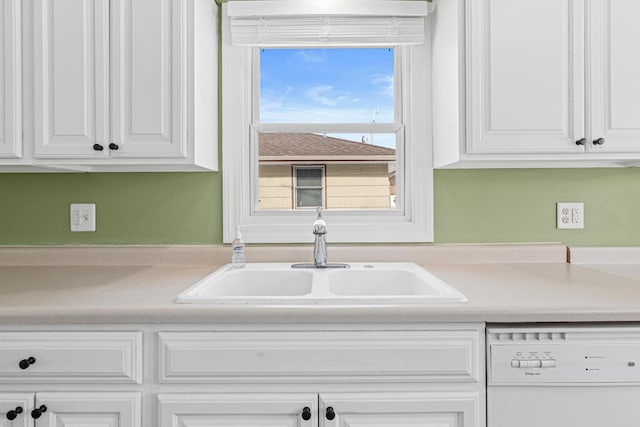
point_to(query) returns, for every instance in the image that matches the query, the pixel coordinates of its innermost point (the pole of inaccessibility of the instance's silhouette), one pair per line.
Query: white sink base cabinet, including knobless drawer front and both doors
(322, 377)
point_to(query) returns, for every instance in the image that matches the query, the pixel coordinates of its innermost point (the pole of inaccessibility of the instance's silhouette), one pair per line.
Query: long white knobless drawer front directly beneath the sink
(331, 356)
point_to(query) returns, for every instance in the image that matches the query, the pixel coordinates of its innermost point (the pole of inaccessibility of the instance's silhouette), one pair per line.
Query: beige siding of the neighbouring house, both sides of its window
(347, 186)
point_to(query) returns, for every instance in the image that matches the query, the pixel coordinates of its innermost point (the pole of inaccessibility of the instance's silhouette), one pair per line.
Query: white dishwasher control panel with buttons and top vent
(576, 357)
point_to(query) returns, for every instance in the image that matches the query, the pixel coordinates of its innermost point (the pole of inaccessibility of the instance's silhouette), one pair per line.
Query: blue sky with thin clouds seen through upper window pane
(326, 85)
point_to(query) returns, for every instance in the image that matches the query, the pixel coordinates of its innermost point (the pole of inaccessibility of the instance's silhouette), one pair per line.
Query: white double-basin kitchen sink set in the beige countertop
(360, 284)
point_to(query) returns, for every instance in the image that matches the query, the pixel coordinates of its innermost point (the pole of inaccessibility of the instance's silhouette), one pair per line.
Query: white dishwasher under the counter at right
(563, 376)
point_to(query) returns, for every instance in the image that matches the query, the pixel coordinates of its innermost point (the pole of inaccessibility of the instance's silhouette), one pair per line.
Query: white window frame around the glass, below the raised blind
(240, 160)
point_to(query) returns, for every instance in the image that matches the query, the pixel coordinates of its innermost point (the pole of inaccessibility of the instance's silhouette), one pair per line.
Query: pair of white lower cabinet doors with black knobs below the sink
(325, 410)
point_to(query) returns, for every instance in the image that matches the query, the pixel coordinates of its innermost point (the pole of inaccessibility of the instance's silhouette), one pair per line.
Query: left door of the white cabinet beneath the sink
(241, 410)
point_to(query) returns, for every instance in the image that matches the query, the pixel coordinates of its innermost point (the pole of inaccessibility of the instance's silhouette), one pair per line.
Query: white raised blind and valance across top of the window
(273, 23)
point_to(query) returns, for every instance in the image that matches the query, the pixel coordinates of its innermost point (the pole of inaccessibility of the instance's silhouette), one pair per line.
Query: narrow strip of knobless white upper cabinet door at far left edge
(10, 80)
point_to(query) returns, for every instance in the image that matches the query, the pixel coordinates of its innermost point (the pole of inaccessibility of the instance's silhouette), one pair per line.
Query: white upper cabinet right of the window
(550, 83)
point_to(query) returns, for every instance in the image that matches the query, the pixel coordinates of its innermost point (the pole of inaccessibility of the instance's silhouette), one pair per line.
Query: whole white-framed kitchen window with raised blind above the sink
(375, 178)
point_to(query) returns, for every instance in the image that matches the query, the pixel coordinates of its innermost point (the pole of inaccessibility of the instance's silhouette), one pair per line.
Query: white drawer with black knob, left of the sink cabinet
(104, 357)
